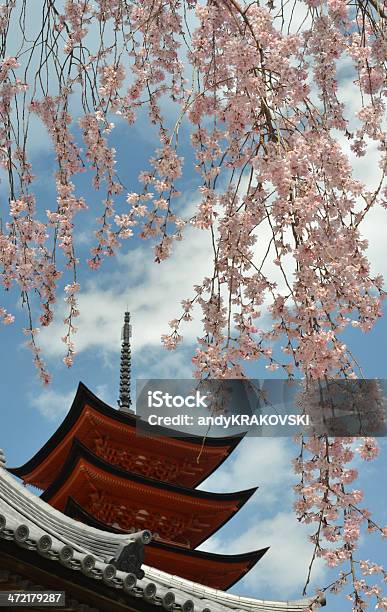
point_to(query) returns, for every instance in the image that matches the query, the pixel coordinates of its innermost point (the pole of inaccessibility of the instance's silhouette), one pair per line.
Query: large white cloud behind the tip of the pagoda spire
(151, 292)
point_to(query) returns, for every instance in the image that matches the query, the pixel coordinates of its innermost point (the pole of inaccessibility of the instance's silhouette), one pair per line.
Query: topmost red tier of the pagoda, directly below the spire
(111, 435)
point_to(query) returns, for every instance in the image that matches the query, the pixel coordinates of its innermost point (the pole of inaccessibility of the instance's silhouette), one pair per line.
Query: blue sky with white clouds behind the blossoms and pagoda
(30, 413)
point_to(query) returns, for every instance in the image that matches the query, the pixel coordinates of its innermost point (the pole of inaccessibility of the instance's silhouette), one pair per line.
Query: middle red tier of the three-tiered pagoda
(174, 514)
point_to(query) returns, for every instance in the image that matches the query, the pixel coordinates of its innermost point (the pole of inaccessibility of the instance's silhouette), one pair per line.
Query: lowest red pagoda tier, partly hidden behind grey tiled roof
(213, 570)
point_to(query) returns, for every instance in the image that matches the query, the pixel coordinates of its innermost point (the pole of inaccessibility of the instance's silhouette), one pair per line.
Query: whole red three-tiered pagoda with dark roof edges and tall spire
(96, 470)
